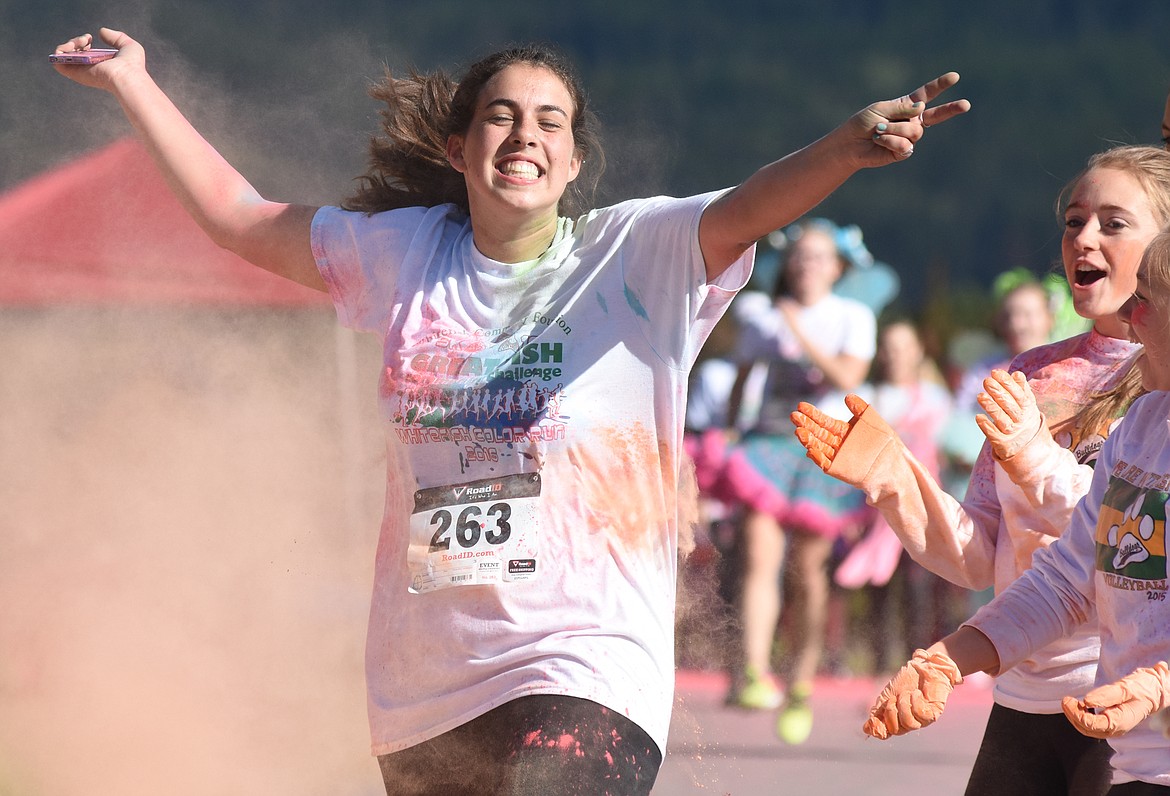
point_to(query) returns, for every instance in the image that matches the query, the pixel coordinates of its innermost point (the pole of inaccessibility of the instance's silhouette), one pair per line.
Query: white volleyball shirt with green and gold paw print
(1112, 560)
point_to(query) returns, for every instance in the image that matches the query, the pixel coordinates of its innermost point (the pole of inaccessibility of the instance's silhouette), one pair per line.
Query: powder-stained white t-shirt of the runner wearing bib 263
(534, 418)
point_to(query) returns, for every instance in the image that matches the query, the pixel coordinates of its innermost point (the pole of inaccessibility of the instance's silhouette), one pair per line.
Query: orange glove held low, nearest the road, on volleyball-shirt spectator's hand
(916, 697)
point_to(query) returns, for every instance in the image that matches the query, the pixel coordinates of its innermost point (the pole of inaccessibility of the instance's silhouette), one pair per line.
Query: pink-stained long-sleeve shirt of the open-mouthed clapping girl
(990, 538)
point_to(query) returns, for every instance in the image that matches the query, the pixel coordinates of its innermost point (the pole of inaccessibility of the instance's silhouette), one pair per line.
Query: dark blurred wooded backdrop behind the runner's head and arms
(694, 95)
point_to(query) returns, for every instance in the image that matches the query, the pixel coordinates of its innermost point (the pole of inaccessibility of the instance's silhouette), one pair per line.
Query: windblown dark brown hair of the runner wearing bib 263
(409, 160)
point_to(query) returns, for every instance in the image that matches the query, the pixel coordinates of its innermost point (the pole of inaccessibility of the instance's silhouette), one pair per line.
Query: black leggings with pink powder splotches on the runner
(547, 745)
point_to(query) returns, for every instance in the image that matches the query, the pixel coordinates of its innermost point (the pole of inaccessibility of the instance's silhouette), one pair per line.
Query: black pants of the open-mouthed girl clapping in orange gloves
(1029, 754)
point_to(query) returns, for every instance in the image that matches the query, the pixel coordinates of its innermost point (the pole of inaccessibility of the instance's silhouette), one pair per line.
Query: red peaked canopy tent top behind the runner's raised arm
(106, 229)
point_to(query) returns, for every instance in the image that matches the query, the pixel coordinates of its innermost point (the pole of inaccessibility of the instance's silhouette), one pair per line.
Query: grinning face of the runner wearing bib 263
(519, 153)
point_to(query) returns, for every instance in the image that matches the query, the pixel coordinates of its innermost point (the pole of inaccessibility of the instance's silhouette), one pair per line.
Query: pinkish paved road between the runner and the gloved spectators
(720, 751)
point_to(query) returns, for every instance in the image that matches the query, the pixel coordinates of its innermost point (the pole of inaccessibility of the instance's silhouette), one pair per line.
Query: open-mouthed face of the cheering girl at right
(1107, 225)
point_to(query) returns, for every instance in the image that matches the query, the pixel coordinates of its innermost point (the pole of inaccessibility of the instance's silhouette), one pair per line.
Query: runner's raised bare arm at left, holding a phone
(273, 236)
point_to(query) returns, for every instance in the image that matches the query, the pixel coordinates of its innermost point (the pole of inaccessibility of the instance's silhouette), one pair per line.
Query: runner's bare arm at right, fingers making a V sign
(786, 190)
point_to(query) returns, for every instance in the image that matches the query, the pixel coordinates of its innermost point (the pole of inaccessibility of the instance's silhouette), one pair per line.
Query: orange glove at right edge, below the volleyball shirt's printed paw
(1117, 709)
